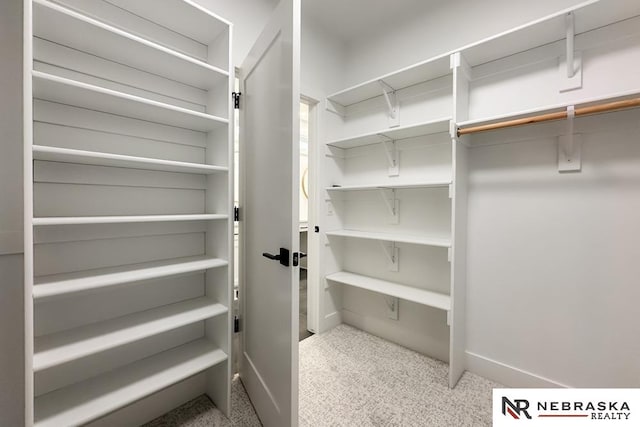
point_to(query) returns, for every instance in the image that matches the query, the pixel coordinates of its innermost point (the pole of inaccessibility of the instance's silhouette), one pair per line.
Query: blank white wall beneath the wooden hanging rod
(552, 259)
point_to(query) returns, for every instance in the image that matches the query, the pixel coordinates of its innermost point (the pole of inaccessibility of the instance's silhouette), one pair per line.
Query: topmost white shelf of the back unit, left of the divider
(405, 77)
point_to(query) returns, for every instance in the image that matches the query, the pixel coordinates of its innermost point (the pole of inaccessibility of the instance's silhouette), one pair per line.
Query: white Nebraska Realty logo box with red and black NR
(566, 407)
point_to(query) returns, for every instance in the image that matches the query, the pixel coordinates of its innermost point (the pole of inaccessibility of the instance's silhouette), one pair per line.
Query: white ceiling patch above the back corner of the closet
(353, 19)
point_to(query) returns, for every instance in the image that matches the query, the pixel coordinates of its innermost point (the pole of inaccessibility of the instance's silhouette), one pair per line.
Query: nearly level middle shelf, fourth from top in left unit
(124, 219)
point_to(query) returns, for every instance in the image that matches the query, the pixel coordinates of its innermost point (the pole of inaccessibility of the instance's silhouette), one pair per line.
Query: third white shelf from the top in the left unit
(70, 155)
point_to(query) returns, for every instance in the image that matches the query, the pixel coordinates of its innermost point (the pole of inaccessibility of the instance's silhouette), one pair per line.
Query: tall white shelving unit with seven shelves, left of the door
(128, 206)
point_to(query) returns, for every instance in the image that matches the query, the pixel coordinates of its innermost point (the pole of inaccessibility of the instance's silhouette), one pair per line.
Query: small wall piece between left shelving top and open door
(248, 18)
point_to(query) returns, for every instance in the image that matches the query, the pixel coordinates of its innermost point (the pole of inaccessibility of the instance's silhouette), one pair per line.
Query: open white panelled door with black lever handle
(269, 218)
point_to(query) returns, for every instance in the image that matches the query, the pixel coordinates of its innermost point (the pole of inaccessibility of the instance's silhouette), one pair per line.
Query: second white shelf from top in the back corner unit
(398, 133)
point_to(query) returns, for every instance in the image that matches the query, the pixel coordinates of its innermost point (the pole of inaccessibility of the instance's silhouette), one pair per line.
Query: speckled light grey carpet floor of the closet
(350, 378)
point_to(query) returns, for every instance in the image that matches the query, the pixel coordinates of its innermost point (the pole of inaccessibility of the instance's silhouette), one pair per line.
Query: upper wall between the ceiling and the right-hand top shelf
(437, 28)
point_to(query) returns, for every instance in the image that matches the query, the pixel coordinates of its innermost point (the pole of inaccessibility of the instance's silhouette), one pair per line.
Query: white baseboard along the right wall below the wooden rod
(507, 375)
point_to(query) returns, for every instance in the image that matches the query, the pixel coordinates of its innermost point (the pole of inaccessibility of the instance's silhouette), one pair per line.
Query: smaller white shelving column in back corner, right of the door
(394, 226)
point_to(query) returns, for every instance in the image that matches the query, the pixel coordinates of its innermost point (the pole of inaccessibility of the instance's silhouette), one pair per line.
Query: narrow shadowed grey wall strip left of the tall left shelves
(11, 264)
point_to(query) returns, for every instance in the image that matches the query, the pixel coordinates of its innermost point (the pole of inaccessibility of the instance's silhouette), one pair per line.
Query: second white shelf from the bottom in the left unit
(56, 349)
